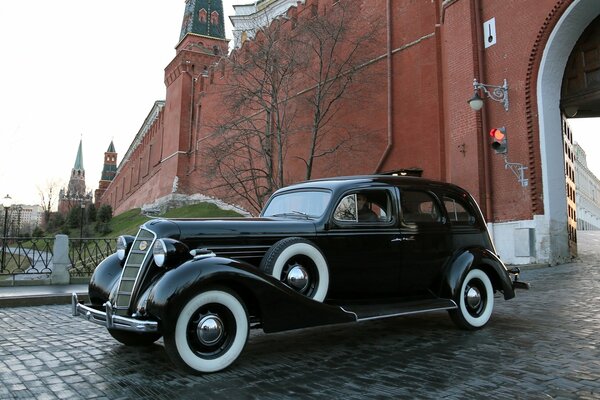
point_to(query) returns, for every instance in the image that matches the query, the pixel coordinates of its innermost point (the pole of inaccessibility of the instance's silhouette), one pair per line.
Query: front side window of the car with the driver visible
(370, 206)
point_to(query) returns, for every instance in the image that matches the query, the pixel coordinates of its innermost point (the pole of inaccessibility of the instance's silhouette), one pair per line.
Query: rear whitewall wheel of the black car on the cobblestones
(475, 301)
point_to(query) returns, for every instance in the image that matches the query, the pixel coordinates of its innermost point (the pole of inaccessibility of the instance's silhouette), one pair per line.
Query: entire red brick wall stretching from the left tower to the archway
(435, 56)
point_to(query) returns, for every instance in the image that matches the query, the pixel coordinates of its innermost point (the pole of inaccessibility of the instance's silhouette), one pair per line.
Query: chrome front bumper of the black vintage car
(109, 320)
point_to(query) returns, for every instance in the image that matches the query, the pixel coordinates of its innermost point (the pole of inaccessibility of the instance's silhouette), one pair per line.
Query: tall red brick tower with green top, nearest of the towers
(202, 43)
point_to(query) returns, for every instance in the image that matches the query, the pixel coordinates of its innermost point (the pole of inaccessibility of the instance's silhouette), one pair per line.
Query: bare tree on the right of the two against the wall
(335, 55)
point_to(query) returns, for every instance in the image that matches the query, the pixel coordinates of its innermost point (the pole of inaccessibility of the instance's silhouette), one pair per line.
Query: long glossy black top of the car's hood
(182, 229)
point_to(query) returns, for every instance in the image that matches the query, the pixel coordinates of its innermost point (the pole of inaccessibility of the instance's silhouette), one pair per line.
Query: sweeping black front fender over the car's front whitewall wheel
(276, 305)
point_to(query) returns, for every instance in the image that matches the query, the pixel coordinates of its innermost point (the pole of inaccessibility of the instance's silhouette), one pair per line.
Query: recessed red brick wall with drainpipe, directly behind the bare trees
(415, 139)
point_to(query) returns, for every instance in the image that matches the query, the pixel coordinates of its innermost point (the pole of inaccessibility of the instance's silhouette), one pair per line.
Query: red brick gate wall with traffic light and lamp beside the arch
(518, 28)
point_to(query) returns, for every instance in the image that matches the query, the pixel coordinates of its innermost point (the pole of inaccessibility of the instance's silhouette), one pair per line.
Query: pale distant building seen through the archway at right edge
(588, 193)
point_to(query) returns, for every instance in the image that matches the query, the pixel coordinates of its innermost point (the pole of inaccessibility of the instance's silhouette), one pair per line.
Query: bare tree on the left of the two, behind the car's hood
(248, 156)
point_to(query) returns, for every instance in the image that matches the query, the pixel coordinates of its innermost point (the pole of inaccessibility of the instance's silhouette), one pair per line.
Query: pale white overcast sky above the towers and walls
(75, 69)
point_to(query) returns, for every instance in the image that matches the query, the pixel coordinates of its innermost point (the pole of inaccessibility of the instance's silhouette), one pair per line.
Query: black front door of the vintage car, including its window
(359, 246)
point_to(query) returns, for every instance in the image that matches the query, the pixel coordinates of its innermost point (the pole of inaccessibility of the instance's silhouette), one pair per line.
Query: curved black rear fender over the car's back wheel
(471, 258)
